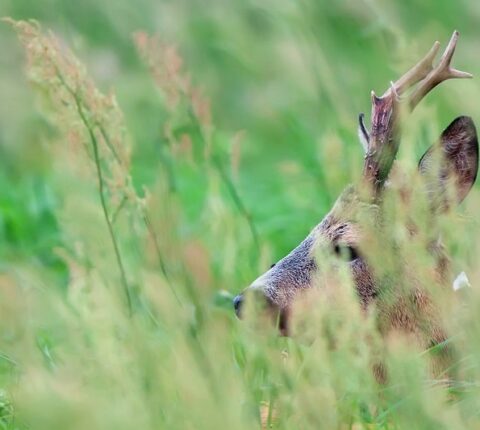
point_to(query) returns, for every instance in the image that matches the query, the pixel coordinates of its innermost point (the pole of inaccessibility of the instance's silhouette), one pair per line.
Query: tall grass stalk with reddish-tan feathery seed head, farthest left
(87, 117)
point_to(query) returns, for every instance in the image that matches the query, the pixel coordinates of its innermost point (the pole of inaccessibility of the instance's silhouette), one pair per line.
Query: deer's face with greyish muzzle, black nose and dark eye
(339, 236)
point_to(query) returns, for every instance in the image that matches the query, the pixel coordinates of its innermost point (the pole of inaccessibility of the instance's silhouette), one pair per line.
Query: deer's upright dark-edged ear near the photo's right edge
(450, 166)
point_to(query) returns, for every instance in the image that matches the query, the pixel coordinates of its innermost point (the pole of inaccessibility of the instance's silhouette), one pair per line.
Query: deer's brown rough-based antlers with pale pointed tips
(383, 140)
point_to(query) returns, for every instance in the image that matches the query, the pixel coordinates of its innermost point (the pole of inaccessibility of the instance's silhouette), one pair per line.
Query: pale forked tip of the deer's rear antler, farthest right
(442, 72)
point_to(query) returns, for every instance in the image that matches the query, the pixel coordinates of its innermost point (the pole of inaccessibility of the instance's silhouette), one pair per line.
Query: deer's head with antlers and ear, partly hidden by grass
(449, 168)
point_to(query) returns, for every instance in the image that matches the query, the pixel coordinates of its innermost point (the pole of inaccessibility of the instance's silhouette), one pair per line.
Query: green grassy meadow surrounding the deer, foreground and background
(156, 157)
